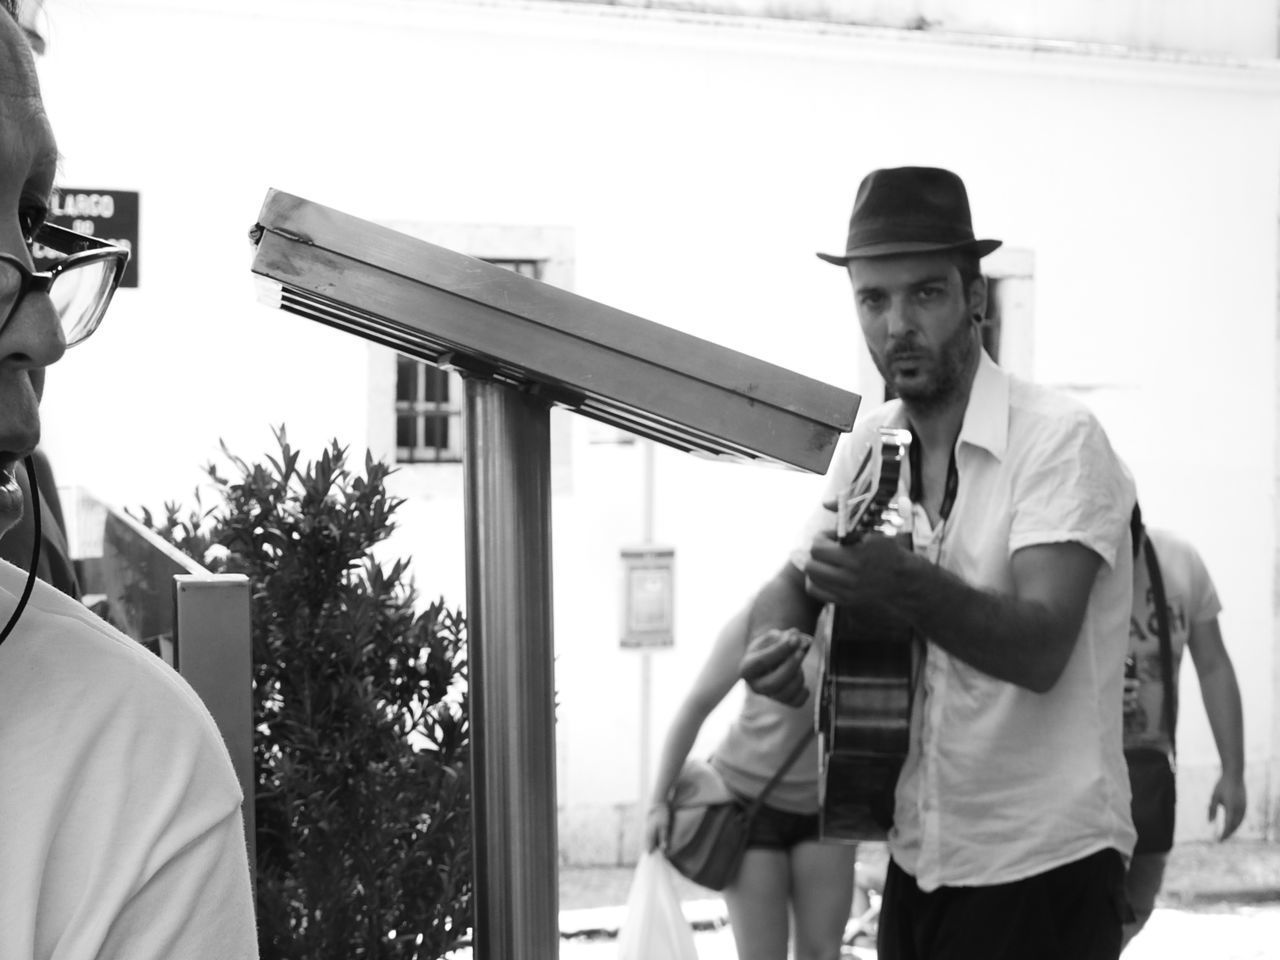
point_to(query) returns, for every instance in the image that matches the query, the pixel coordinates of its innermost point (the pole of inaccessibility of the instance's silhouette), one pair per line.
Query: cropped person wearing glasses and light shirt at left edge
(121, 829)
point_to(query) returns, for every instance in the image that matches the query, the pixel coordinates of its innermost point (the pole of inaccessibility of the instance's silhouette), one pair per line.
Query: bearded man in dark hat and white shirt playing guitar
(1012, 811)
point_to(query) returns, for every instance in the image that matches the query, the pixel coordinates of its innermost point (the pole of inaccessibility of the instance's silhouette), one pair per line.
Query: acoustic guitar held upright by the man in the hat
(865, 691)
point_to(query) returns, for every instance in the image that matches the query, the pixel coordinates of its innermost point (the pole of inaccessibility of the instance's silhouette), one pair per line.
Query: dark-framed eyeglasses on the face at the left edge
(81, 285)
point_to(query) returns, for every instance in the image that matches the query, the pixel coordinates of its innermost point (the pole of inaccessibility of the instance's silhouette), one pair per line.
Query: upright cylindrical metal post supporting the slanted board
(508, 470)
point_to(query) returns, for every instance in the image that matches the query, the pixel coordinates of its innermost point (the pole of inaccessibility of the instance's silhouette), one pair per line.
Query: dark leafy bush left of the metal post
(360, 705)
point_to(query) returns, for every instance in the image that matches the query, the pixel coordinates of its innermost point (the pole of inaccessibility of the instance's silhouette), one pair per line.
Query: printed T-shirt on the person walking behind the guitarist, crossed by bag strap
(1191, 598)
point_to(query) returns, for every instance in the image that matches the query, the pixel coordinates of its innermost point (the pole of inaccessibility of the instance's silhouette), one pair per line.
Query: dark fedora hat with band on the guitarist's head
(909, 211)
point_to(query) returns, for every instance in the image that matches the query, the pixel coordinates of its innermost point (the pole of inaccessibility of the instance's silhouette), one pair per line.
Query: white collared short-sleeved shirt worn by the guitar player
(1002, 783)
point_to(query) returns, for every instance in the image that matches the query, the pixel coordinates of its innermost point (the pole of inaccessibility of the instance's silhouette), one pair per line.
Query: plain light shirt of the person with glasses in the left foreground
(121, 828)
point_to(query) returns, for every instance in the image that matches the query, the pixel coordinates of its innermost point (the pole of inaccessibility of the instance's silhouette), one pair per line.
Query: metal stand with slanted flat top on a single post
(524, 346)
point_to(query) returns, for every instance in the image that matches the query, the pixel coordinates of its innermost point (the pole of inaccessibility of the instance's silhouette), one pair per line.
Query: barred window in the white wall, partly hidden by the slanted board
(429, 400)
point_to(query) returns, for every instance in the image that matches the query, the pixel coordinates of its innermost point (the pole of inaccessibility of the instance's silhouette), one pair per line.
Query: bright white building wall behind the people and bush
(698, 163)
